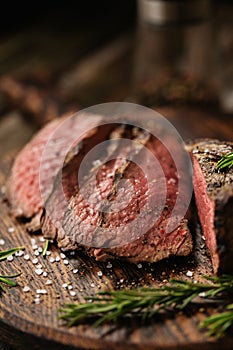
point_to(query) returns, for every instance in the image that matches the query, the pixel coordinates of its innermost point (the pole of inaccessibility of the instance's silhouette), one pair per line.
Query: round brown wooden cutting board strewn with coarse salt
(27, 324)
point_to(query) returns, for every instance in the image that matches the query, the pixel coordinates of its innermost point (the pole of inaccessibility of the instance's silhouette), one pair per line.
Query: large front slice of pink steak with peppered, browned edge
(116, 211)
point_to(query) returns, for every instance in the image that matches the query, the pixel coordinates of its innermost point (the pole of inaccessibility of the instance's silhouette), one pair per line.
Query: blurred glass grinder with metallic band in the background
(173, 61)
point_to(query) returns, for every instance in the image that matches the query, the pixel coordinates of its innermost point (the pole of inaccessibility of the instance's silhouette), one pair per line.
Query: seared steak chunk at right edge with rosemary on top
(214, 199)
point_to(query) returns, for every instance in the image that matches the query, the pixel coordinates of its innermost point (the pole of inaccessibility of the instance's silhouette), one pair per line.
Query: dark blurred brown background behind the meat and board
(175, 56)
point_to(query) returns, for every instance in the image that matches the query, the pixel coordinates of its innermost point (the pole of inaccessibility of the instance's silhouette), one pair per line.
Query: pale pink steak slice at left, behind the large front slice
(36, 166)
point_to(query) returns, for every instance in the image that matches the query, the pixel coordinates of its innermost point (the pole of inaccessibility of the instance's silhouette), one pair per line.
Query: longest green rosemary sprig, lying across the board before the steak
(111, 305)
